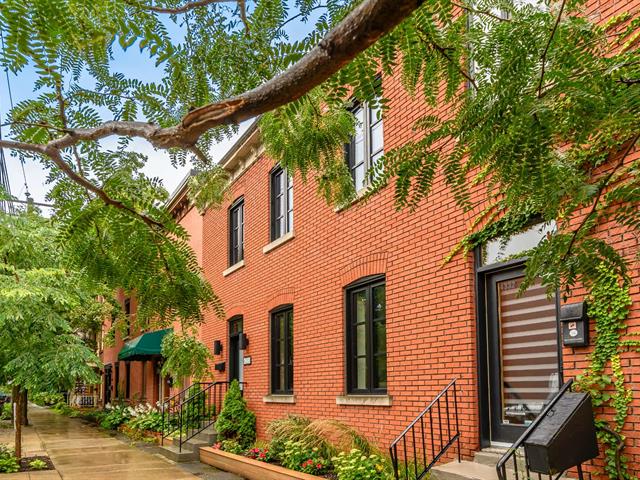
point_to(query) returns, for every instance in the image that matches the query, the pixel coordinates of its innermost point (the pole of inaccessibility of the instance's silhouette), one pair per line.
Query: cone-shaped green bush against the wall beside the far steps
(236, 421)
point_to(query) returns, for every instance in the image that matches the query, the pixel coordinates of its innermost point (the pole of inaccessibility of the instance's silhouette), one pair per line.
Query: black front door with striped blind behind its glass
(523, 352)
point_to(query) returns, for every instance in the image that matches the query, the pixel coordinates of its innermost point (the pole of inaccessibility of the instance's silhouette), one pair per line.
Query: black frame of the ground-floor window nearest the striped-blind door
(366, 284)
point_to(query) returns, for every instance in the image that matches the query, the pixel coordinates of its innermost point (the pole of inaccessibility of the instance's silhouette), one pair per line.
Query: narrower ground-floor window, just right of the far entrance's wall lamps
(282, 351)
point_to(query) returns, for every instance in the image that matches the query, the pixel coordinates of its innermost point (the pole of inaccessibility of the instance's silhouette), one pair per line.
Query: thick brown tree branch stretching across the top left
(362, 27)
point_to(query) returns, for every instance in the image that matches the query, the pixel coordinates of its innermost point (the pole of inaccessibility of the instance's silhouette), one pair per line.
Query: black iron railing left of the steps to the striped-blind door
(428, 437)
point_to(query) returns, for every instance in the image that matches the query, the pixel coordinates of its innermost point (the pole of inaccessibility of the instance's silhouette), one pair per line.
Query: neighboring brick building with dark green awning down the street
(132, 366)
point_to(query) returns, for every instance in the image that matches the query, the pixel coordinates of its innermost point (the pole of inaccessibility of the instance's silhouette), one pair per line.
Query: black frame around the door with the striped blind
(482, 272)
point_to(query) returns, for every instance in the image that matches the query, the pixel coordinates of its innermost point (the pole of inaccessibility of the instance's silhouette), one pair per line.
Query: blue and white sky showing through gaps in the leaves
(134, 65)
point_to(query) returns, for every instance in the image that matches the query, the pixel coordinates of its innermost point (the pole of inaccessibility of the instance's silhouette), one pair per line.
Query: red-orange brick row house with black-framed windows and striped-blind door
(350, 313)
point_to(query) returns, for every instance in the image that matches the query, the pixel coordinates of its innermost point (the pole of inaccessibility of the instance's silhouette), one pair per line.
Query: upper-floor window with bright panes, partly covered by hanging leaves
(367, 145)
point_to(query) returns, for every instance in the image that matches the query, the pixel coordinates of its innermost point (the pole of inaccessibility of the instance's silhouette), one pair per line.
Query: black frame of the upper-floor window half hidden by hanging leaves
(350, 148)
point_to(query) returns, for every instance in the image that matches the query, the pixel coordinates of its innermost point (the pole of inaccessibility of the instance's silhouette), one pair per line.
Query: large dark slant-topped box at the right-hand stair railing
(565, 437)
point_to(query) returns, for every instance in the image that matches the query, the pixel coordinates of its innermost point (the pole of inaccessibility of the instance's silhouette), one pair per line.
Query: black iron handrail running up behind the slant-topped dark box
(514, 464)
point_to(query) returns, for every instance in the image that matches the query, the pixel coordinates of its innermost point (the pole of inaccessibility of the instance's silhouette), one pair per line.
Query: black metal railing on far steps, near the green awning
(192, 410)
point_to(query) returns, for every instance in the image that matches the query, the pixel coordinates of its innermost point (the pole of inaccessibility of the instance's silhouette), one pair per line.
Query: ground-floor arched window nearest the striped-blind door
(367, 337)
